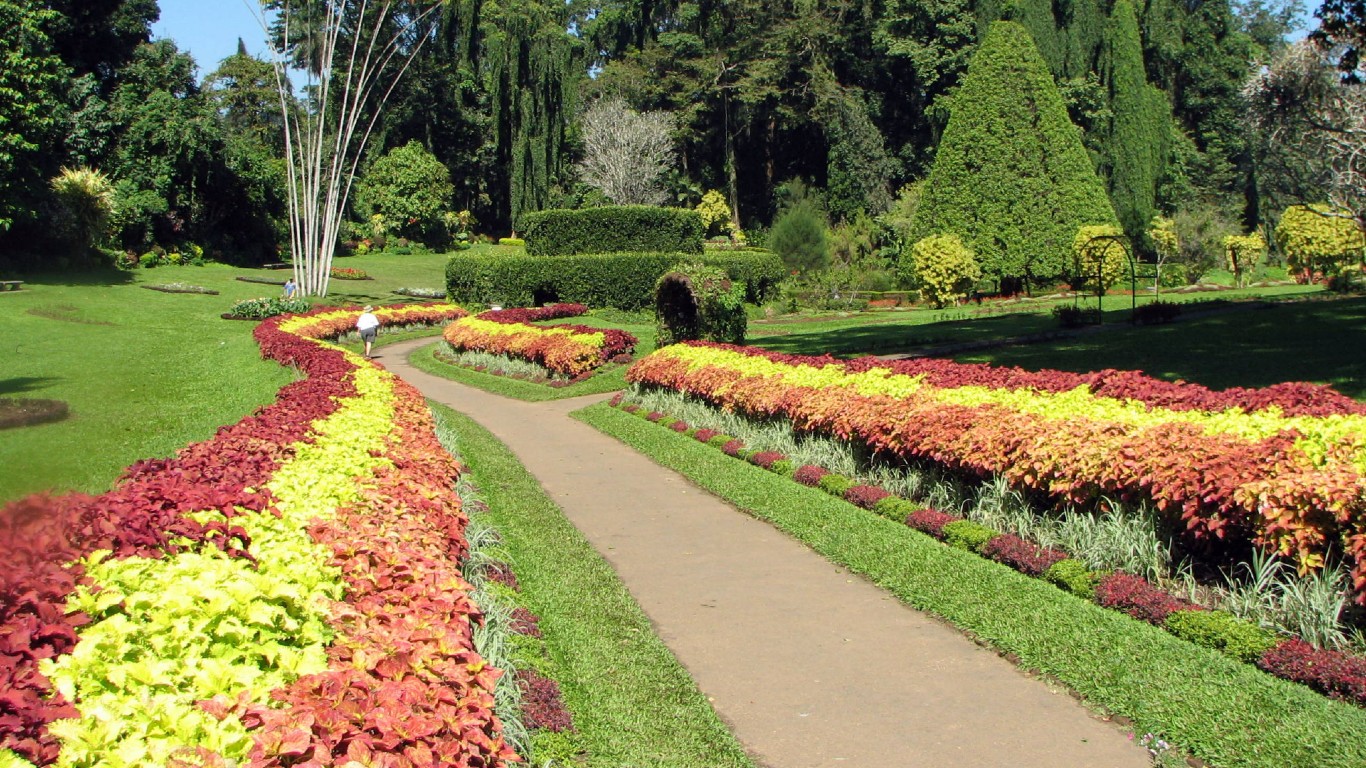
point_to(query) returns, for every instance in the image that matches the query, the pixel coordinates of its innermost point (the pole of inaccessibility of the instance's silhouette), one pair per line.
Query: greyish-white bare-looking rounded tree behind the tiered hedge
(626, 154)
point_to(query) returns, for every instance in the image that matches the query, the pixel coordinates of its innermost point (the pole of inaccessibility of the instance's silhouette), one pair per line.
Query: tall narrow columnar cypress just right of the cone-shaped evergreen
(1139, 133)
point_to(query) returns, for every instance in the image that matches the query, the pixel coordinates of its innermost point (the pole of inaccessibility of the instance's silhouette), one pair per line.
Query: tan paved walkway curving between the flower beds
(809, 665)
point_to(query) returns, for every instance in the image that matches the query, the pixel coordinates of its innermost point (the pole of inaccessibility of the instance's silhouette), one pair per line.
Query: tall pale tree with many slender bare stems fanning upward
(354, 53)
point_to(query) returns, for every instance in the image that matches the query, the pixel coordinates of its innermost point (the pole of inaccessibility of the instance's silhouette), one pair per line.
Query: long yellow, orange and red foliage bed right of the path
(1292, 482)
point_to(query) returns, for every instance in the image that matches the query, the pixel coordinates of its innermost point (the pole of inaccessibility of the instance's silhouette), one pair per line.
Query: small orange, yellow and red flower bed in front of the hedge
(569, 351)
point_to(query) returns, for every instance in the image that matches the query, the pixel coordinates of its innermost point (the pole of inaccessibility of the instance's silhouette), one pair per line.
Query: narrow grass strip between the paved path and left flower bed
(632, 700)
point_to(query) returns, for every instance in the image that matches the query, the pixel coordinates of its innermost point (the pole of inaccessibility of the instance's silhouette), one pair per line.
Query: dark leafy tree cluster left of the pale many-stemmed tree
(113, 141)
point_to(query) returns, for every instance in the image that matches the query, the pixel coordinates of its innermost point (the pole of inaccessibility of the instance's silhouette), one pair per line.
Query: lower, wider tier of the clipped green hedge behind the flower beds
(624, 281)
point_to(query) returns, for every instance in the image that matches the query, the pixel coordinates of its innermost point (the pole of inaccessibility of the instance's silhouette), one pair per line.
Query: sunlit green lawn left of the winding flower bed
(148, 372)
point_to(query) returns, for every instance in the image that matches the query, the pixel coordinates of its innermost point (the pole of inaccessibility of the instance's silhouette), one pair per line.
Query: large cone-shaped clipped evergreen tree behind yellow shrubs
(1012, 177)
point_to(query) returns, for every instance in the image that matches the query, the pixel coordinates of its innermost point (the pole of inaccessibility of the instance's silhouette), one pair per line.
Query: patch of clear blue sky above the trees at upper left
(210, 29)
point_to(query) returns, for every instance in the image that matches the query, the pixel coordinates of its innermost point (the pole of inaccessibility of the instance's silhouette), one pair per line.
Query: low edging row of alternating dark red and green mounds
(1335, 674)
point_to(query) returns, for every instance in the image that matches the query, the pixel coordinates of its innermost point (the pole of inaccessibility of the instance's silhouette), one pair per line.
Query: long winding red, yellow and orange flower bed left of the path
(305, 557)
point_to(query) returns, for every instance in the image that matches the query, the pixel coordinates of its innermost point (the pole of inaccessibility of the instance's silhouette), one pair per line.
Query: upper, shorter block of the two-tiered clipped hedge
(614, 229)
